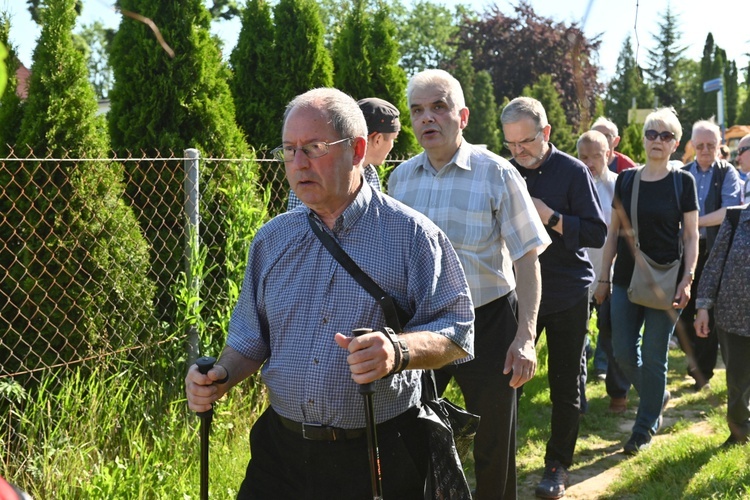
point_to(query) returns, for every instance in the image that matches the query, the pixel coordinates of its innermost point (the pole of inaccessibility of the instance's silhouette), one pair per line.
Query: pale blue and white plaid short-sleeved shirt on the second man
(482, 204)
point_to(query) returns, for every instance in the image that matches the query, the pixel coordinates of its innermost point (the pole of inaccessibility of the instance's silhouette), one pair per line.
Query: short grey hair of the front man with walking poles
(342, 110)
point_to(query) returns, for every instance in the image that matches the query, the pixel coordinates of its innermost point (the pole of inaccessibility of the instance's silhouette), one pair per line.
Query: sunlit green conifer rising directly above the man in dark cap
(366, 59)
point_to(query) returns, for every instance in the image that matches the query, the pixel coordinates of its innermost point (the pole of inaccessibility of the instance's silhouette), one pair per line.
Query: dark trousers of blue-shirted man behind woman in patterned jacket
(704, 350)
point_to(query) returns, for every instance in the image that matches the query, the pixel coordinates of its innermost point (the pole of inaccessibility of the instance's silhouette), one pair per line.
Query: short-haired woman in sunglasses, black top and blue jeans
(664, 221)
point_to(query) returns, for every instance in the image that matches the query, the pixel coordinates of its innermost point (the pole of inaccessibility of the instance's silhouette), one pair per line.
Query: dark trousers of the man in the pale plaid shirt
(487, 393)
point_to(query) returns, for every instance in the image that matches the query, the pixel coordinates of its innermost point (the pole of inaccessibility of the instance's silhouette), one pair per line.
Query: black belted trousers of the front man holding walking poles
(285, 466)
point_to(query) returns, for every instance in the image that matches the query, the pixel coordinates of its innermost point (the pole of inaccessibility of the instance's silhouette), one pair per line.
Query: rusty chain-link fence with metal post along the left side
(135, 260)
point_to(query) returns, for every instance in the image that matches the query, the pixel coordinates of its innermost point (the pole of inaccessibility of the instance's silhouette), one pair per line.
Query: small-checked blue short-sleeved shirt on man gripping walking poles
(295, 297)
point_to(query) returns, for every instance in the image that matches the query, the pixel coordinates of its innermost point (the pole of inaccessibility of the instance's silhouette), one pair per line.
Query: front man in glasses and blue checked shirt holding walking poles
(298, 306)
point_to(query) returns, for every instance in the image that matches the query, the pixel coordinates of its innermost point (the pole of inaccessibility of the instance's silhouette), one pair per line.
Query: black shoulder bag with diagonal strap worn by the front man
(451, 428)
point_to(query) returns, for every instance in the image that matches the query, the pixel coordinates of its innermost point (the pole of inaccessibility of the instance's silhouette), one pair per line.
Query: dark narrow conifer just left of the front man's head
(253, 62)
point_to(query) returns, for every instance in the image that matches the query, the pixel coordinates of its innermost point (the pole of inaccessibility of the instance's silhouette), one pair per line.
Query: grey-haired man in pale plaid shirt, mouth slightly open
(482, 204)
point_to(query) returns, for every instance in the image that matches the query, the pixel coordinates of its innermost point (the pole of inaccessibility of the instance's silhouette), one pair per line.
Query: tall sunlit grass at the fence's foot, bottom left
(123, 436)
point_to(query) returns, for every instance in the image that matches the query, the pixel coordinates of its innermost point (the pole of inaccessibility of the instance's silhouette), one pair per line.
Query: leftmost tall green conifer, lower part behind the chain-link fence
(79, 262)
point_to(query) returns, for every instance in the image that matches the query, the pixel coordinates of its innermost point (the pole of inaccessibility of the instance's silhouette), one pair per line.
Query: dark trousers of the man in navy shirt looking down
(566, 333)
